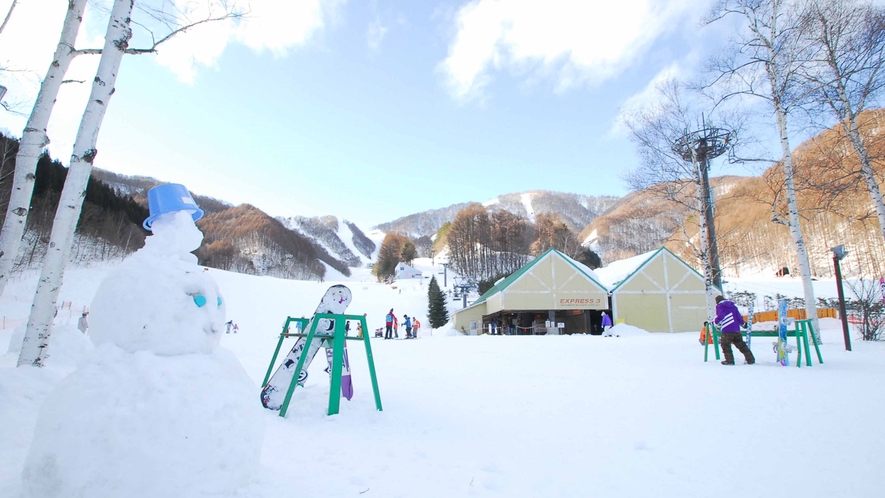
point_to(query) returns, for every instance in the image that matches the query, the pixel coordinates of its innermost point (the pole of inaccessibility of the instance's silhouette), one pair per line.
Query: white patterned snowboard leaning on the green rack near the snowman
(336, 300)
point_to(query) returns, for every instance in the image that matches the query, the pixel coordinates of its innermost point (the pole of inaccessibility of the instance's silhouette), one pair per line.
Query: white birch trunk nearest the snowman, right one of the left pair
(71, 203)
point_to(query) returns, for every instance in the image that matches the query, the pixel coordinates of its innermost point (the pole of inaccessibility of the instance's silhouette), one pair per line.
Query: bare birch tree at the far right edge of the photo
(846, 76)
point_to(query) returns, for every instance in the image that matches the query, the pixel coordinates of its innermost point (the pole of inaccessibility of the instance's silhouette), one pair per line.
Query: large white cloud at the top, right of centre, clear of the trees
(577, 42)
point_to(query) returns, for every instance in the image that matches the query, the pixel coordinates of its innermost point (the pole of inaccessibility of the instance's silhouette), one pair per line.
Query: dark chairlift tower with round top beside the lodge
(698, 148)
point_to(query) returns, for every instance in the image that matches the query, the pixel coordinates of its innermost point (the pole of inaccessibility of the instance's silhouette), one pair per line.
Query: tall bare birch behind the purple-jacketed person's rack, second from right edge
(768, 59)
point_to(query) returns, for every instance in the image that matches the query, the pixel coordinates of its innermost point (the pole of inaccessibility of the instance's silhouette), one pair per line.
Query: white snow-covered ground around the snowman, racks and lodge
(632, 416)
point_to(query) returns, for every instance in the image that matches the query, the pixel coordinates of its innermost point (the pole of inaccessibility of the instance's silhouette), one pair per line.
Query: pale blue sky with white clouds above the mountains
(315, 107)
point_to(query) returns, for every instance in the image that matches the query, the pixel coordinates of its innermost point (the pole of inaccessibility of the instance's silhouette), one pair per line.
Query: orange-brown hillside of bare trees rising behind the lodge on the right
(834, 204)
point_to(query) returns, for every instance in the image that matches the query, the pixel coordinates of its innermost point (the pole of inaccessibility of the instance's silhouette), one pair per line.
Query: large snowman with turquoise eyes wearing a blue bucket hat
(159, 409)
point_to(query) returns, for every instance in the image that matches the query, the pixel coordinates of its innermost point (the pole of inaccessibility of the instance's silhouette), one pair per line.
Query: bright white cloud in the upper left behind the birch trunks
(28, 42)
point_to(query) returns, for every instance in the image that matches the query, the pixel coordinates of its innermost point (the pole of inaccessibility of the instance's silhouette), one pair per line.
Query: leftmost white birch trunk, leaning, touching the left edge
(33, 140)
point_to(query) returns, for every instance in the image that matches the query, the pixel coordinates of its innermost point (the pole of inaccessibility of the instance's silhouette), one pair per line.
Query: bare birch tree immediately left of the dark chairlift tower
(655, 129)
